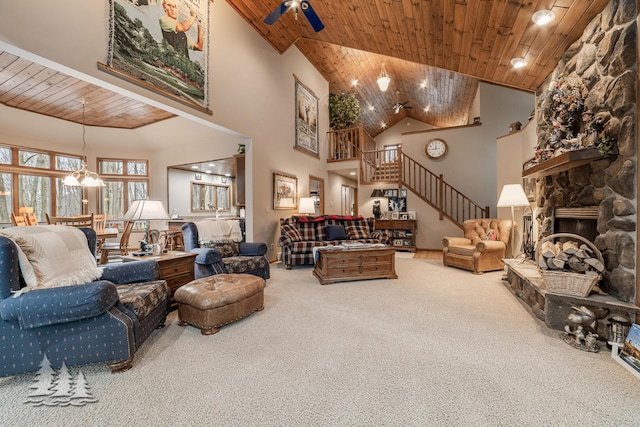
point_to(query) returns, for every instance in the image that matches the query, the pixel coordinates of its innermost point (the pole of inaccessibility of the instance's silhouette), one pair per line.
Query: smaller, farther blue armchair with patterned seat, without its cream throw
(225, 257)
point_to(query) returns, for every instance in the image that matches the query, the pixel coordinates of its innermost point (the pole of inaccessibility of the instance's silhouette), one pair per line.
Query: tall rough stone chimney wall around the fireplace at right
(604, 63)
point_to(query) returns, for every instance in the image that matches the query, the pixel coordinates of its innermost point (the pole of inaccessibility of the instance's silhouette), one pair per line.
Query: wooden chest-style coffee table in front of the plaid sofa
(344, 265)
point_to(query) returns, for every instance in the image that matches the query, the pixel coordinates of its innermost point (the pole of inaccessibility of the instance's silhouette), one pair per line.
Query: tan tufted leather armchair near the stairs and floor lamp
(477, 250)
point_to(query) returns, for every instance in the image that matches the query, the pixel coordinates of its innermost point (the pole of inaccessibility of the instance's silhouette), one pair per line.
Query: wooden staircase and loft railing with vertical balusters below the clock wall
(395, 167)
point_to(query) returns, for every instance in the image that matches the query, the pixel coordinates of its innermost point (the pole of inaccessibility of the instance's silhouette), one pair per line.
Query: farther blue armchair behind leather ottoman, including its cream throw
(220, 249)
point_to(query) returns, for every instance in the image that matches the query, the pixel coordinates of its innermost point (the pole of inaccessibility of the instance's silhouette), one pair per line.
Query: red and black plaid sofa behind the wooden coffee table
(300, 234)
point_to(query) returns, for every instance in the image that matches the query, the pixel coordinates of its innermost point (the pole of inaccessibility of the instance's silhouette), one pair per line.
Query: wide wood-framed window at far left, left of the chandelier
(33, 178)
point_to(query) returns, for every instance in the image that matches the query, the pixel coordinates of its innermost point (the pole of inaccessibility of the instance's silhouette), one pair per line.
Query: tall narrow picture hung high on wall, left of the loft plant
(306, 120)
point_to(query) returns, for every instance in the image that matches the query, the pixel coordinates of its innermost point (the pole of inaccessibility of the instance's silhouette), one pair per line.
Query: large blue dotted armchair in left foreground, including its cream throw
(55, 301)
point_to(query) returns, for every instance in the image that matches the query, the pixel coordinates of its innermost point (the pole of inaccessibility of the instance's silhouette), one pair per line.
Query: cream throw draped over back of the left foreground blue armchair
(57, 255)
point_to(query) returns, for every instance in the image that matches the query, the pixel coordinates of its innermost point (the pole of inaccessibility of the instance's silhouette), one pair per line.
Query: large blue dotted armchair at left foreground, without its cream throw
(81, 324)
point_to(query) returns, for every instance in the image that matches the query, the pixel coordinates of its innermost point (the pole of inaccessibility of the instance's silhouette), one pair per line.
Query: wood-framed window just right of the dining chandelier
(125, 180)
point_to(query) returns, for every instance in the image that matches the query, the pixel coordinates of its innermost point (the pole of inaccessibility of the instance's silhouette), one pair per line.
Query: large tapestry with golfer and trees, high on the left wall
(162, 46)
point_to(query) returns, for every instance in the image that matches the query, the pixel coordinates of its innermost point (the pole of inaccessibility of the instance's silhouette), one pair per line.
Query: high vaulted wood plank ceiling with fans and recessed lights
(435, 51)
